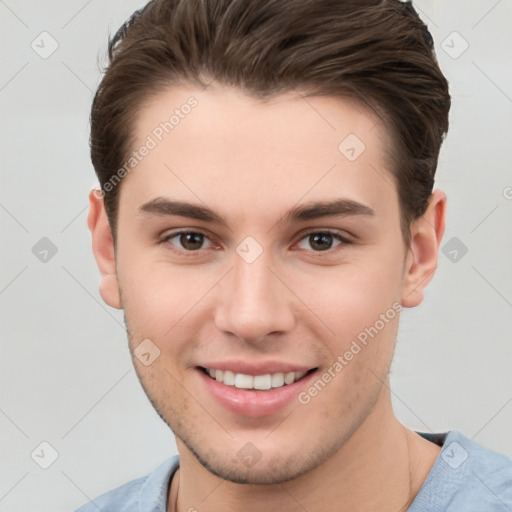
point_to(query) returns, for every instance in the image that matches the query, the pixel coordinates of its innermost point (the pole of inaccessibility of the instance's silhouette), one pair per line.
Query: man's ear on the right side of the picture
(421, 260)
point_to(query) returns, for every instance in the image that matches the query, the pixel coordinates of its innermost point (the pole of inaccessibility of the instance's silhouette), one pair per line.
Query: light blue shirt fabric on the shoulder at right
(466, 476)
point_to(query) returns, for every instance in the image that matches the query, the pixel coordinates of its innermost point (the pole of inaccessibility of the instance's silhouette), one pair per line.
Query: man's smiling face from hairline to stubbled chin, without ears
(254, 277)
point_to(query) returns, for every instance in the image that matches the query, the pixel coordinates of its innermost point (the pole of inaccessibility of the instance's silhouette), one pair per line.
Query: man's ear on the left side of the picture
(103, 249)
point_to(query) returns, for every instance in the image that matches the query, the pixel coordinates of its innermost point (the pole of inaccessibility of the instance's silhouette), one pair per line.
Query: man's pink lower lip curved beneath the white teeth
(254, 403)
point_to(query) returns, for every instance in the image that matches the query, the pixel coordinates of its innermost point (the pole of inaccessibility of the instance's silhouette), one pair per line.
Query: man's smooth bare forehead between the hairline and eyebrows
(225, 148)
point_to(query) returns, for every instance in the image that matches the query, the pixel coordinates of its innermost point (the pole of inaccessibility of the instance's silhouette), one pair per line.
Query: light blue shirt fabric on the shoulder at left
(148, 492)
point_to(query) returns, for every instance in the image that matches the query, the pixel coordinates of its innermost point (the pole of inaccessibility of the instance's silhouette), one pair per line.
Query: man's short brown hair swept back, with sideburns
(377, 52)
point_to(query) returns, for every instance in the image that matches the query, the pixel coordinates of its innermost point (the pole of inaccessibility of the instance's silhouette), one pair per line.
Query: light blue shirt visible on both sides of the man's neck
(466, 477)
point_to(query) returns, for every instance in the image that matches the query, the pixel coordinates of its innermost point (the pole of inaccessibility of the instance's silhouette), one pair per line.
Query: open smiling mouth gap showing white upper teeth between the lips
(256, 382)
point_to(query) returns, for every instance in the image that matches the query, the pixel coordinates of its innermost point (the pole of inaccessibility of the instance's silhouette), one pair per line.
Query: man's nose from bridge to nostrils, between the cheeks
(253, 301)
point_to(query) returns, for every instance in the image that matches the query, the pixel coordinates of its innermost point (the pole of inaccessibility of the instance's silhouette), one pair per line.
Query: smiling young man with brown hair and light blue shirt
(266, 211)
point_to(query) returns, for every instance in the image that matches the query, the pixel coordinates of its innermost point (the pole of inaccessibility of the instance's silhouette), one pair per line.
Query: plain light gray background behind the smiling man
(66, 374)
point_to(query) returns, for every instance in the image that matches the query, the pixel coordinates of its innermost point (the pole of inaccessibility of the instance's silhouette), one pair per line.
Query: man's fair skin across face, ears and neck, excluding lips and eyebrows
(252, 161)
